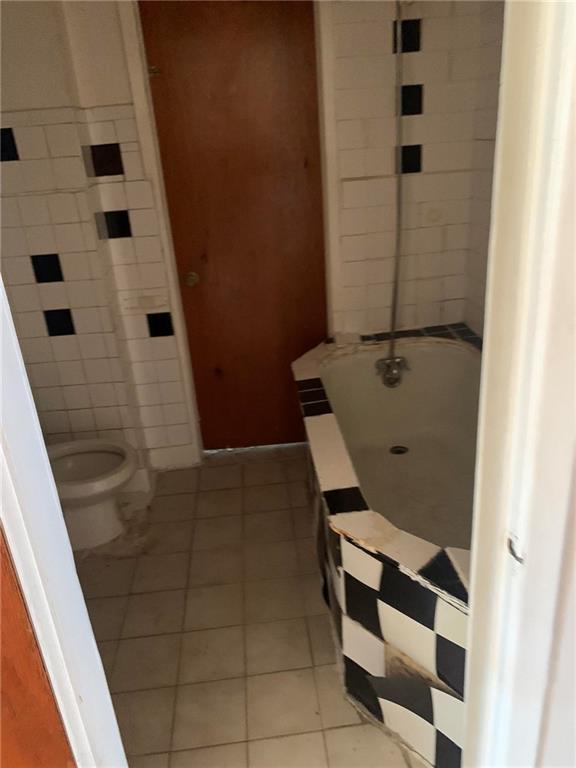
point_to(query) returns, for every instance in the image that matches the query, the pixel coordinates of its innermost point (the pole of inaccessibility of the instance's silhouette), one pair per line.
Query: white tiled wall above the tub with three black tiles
(449, 98)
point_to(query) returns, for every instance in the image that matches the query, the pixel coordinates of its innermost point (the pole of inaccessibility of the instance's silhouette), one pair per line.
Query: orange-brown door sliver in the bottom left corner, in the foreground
(32, 732)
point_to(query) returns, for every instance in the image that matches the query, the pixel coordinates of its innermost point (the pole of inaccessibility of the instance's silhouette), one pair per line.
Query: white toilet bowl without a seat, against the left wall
(89, 475)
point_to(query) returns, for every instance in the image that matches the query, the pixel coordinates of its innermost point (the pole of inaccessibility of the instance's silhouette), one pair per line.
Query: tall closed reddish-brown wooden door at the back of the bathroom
(236, 111)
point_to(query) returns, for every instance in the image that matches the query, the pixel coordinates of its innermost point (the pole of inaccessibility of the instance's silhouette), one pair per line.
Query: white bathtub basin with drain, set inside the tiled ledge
(426, 491)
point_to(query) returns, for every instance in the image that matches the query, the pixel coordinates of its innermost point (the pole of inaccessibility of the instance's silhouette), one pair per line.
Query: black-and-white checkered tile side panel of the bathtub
(374, 603)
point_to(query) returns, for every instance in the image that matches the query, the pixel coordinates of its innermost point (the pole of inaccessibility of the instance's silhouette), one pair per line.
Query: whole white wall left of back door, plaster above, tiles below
(110, 378)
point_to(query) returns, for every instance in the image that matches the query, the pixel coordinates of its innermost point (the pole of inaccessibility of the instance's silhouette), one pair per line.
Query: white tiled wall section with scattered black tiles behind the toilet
(85, 275)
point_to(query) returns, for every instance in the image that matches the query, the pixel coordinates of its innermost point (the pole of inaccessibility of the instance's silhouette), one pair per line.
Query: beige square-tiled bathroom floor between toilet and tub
(216, 641)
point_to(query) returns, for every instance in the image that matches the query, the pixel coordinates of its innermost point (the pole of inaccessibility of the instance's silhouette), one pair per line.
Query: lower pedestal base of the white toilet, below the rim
(94, 524)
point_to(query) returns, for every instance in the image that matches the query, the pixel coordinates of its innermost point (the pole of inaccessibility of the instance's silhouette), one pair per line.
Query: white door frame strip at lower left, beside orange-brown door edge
(36, 535)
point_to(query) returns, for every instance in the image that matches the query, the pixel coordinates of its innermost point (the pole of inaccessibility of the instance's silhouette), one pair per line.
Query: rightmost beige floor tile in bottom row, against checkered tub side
(362, 746)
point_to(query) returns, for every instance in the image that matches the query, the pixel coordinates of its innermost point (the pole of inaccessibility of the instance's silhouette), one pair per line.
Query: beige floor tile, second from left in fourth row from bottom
(154, 613)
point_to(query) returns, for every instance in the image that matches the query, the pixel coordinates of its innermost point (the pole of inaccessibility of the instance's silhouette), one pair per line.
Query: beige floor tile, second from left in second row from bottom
(210, 713)
